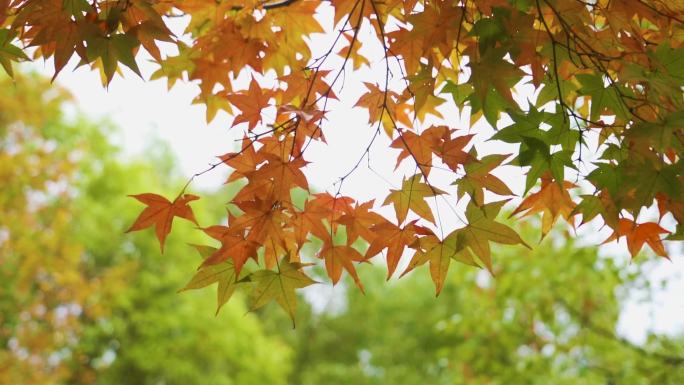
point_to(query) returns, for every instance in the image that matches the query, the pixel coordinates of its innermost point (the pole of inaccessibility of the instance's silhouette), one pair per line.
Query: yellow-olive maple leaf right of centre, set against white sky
(412, 197)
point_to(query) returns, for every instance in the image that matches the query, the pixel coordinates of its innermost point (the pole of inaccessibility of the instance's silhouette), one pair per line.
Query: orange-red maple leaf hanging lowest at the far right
(639, 233)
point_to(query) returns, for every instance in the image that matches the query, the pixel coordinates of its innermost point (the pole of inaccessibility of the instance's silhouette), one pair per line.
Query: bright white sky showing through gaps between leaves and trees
(144, 109)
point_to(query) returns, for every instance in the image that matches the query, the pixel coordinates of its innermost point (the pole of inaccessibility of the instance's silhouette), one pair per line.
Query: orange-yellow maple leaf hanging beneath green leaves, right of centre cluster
(551, 200)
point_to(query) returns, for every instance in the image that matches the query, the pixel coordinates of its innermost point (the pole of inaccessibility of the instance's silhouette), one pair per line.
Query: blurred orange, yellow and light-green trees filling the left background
(80, 301)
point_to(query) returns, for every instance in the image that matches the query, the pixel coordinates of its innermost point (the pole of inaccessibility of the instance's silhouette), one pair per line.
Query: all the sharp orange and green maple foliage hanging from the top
(601, 135)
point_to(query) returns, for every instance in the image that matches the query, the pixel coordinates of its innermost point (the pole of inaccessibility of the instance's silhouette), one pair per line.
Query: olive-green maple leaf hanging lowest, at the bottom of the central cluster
(279, 286)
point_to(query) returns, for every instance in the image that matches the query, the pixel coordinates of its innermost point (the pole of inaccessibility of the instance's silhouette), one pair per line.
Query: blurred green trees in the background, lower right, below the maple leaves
(548, 317)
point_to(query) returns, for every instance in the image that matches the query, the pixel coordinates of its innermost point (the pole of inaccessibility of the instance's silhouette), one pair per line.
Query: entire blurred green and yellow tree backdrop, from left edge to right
(83, 303)
